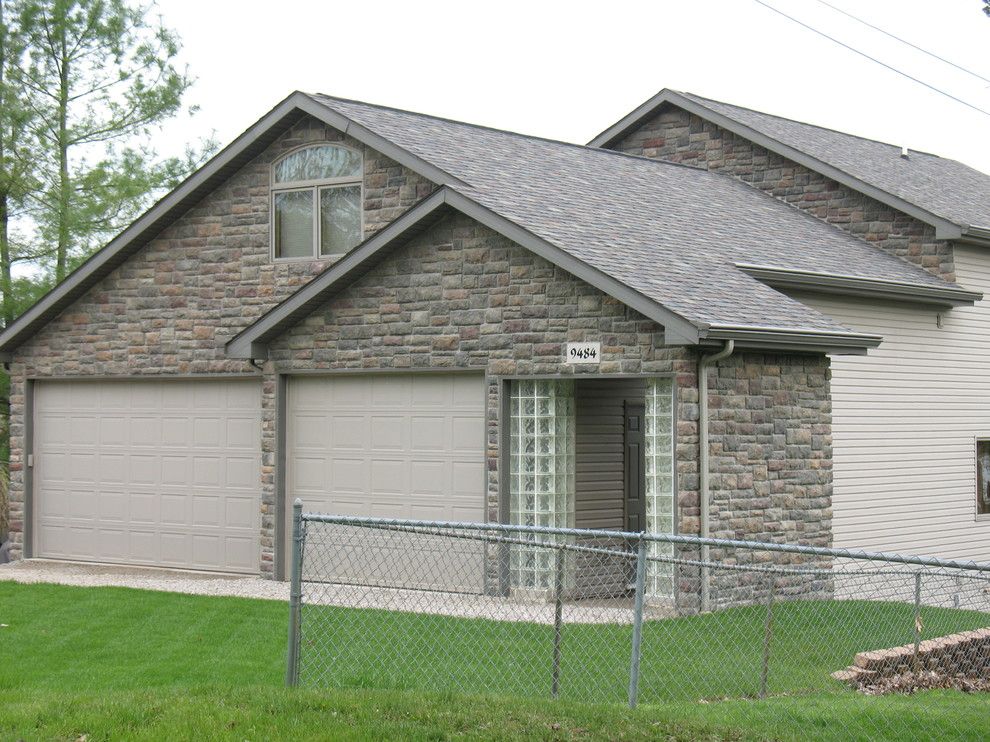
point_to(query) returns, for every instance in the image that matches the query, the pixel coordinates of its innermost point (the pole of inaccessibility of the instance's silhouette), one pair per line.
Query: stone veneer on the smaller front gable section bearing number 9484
(462, 297)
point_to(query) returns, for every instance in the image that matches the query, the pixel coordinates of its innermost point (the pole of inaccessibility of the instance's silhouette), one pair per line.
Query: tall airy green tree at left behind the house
(84, 85)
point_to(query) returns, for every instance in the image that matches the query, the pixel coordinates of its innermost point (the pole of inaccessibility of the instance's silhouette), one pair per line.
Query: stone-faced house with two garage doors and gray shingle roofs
(387, 313)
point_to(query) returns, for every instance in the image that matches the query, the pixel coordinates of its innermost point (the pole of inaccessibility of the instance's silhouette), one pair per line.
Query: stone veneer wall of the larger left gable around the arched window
(172, 306)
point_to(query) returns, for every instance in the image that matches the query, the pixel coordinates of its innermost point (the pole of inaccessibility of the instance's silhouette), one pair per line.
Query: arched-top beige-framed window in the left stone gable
(316, 202)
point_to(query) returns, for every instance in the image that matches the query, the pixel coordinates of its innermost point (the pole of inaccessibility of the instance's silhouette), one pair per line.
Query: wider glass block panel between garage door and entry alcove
(541, 471)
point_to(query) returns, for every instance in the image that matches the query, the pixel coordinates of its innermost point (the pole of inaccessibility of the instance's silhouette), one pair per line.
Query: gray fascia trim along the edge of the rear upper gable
(945, 229)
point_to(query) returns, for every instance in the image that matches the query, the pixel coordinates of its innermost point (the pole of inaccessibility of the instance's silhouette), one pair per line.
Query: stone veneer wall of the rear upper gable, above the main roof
(676, 135)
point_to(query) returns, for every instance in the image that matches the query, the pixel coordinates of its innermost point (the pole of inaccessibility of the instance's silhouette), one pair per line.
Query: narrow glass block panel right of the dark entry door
(660, 483)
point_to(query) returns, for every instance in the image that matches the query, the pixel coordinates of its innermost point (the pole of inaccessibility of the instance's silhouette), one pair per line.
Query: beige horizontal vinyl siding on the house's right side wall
(905, 420)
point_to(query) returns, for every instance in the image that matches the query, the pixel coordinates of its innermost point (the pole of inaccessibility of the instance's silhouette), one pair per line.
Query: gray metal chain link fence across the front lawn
(609, 617)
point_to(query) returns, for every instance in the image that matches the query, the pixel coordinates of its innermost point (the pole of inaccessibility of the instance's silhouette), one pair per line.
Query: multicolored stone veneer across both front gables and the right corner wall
(459, 296)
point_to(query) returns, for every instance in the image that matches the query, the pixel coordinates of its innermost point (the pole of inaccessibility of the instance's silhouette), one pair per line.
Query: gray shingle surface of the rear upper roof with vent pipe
(946, 188)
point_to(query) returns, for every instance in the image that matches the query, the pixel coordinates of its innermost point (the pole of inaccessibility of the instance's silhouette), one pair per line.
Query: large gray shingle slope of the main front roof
(673, 233)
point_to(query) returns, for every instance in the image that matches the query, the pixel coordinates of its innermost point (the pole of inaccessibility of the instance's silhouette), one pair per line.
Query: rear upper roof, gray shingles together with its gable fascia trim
(946, 194)
